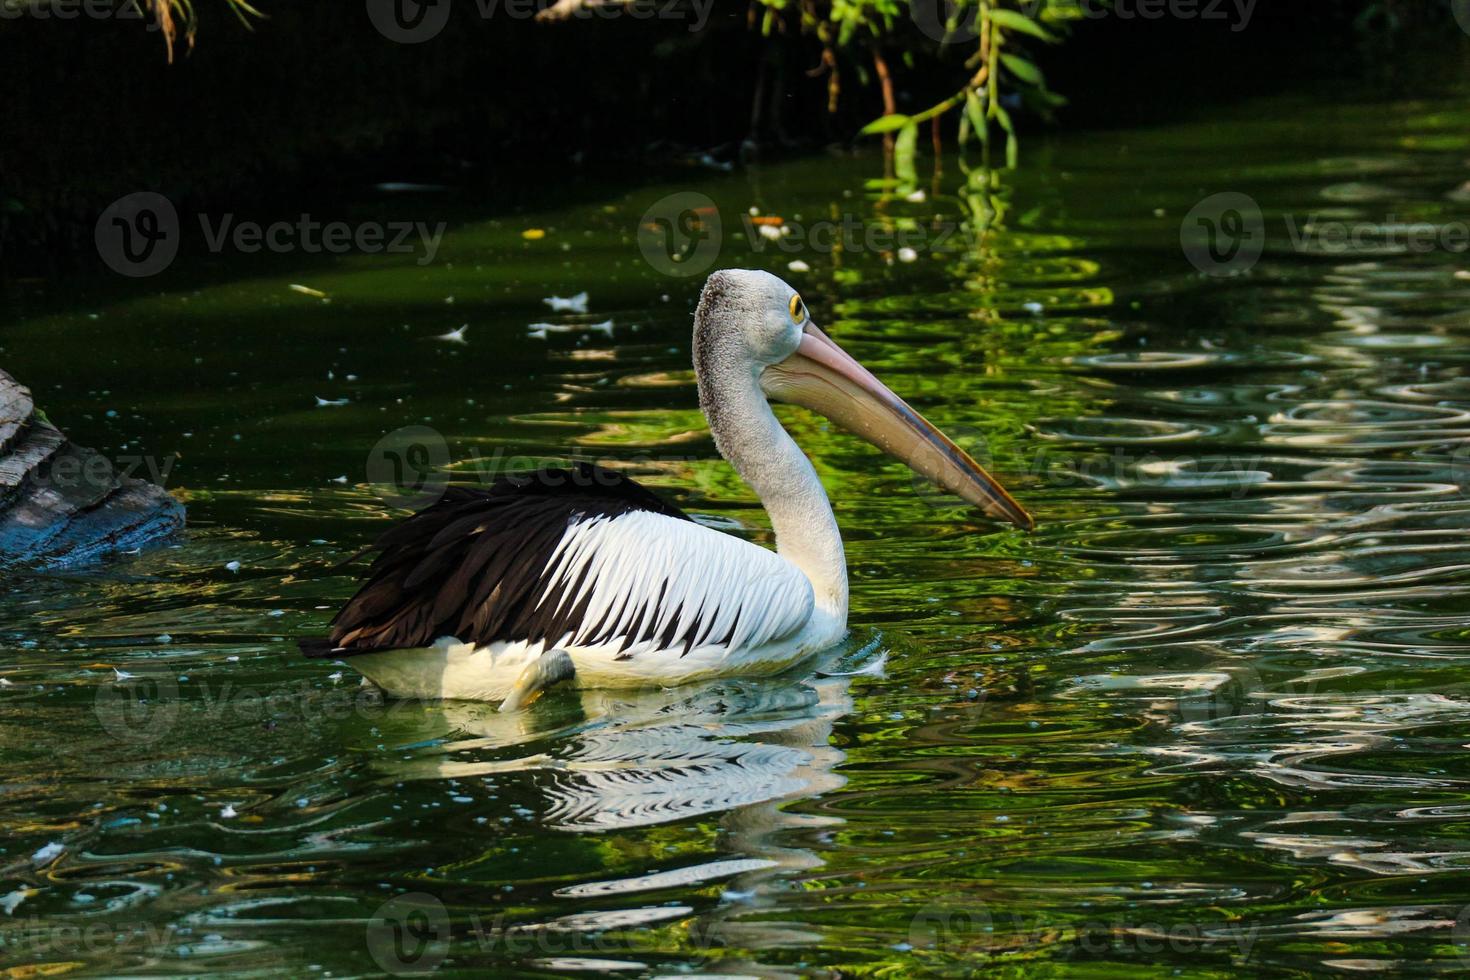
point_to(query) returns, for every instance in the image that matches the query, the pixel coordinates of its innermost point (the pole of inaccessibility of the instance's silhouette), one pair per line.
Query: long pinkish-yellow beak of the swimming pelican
(825, 378)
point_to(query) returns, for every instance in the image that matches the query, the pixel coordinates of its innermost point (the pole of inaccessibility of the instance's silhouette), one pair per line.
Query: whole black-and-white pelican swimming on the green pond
(583, 575)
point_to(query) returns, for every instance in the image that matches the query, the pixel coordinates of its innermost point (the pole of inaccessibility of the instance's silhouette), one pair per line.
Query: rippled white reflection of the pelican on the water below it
(739, 752)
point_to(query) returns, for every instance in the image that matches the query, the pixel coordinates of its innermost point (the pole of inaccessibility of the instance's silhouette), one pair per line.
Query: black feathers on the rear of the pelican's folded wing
(474, 565)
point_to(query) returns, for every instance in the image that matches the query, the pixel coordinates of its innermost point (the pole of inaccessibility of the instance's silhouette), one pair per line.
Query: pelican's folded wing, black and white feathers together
(576, 558)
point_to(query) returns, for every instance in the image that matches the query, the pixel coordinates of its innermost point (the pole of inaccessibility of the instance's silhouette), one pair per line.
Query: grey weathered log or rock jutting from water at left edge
(62, 505)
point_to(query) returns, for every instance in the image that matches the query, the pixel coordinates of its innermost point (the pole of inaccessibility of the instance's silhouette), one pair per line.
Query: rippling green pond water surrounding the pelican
(1209, 719)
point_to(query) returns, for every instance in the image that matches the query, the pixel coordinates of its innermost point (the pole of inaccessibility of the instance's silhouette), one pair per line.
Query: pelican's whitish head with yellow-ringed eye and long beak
(753, 323)
